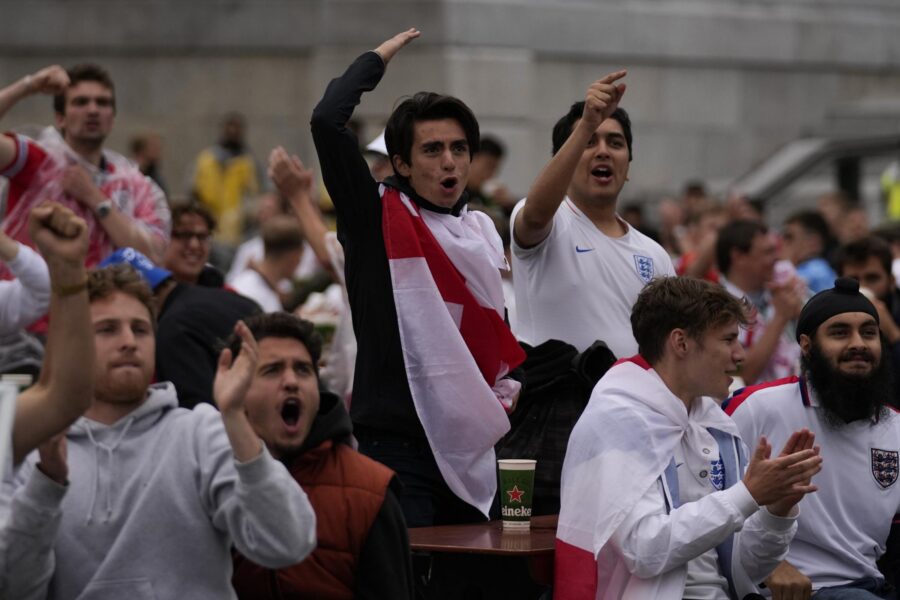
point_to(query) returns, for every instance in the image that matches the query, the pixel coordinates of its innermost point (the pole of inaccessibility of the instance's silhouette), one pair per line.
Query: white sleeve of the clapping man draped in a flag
(652, 542)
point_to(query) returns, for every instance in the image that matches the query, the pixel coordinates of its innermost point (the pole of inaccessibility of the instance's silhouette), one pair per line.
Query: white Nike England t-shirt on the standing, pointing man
(579, 284)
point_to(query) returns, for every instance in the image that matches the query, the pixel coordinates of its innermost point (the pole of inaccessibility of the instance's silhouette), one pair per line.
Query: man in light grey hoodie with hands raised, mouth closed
(153, 496)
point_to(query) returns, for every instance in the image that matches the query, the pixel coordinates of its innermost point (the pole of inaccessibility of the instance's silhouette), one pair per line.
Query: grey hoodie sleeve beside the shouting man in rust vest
(265, 512)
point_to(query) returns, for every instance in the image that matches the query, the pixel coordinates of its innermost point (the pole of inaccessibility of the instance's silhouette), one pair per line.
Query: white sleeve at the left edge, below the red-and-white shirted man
(27, 298)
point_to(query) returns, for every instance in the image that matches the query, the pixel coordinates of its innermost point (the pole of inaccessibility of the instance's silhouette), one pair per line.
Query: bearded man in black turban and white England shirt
(842, 396)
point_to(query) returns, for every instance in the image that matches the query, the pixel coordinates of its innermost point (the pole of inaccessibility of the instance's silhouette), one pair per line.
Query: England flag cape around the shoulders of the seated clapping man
(624, 441)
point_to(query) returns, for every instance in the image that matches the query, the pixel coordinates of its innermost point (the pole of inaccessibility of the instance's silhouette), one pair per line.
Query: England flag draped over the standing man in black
(456, 345)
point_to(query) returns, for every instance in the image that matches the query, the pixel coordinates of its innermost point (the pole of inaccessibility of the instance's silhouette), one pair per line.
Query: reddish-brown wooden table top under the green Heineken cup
(488, 538)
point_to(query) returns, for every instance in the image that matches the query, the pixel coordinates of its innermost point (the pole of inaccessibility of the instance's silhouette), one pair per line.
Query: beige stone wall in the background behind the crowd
(714, 85)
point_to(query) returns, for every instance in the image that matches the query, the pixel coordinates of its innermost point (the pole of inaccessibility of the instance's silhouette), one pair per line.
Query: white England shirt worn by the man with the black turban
(843, 527)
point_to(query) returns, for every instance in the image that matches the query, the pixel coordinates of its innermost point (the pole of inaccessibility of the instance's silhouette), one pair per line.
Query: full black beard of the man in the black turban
(849, 397)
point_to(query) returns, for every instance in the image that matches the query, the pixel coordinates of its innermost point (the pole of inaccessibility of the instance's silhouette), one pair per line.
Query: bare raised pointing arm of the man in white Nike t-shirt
(534, 220)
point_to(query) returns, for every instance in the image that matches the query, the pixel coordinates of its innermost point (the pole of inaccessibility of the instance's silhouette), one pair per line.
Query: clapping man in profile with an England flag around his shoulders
(658, 500)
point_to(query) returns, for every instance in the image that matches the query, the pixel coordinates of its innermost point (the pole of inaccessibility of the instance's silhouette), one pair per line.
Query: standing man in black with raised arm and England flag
(423, 279)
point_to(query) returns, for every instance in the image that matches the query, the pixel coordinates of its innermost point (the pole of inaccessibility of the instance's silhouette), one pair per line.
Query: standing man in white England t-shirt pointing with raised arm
(579, 266)
